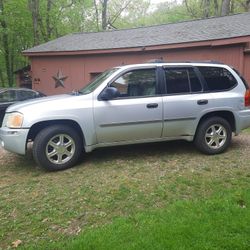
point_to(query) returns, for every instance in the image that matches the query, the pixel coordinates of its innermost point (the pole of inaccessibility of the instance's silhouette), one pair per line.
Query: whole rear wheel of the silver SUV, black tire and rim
(213, 136)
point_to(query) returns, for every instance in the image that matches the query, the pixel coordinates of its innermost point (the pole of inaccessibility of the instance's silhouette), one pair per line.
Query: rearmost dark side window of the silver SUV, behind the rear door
(217, 78)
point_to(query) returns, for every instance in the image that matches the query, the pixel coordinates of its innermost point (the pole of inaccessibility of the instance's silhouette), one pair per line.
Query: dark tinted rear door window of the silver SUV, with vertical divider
(182, 80)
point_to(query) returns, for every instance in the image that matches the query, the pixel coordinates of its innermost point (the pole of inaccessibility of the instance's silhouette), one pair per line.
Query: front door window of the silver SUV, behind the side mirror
(136, 83)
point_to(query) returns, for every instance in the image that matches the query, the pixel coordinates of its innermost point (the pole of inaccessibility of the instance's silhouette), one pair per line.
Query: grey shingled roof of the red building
(176, 33)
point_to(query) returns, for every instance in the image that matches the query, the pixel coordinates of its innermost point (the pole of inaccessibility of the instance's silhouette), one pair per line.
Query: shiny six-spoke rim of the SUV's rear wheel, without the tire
(216, 136)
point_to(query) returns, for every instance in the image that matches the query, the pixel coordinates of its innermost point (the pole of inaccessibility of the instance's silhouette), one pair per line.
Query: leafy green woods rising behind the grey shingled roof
(25, 23)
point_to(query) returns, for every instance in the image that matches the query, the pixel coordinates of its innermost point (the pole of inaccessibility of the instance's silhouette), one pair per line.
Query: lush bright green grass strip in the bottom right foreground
(220, 222)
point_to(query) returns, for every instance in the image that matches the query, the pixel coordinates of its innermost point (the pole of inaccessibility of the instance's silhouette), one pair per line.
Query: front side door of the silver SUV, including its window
(136, 114)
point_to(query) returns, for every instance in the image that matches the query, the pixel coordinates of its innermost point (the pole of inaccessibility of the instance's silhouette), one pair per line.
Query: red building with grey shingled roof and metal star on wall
(70, 62)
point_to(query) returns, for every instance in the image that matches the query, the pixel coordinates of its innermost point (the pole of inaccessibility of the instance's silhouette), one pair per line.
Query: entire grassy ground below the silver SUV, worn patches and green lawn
(153, 196)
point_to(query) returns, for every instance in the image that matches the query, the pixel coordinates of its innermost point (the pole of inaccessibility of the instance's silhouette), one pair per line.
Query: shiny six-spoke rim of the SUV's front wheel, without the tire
(60, 149)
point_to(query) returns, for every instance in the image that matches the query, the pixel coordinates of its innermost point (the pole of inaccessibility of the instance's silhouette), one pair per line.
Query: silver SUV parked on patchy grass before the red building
(200, 102)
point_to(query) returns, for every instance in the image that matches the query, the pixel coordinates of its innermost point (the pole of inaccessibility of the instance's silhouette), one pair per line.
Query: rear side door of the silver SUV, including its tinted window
(185, 101)
